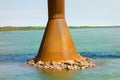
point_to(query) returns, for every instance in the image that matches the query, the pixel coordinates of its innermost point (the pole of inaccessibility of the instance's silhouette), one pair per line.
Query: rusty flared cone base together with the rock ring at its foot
(57, 50)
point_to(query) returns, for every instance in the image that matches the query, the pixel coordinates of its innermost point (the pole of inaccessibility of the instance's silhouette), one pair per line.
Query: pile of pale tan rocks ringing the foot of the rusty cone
(64, 65)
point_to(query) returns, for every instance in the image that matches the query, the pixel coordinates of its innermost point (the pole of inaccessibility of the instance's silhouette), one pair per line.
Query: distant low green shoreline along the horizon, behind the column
(12, 28)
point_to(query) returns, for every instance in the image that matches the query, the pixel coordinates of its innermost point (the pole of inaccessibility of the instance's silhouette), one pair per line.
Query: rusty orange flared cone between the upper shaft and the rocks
(57, 44)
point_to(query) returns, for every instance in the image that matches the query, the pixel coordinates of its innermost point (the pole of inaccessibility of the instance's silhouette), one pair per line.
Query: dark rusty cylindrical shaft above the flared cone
(56, 9)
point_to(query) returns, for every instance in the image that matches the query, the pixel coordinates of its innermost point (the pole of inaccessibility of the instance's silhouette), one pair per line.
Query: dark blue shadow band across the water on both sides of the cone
(93, 55)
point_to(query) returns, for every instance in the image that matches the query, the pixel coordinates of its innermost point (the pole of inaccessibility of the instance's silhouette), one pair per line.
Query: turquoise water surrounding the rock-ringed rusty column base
(100, 44)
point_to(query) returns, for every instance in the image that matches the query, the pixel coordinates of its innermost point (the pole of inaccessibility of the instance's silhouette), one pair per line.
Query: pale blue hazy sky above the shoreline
(78, 12)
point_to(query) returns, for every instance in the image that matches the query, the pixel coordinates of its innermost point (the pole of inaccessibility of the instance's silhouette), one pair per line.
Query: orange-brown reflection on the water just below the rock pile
(58, 75)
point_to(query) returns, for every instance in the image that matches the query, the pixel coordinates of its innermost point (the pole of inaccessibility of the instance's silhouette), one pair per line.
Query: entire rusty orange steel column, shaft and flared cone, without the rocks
(57, 44)
